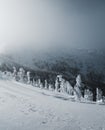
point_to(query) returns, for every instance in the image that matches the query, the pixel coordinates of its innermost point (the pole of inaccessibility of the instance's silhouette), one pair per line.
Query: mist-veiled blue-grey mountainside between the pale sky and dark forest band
(83, 59)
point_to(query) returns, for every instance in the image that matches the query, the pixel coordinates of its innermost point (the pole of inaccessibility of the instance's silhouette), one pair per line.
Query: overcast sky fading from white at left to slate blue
(43, 24)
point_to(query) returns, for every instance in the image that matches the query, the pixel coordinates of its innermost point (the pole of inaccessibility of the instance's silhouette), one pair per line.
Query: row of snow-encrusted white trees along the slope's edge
(60, 85)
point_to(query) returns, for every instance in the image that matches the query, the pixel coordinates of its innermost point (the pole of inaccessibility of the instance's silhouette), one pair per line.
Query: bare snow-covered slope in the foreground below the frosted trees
(23, 107)
